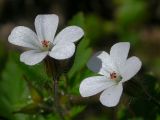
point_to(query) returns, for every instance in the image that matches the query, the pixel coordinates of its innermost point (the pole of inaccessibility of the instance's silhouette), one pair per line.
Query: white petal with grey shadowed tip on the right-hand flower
(101, 63)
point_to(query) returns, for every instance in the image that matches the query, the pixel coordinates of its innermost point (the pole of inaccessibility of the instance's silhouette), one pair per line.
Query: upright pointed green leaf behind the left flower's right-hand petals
(83, 51)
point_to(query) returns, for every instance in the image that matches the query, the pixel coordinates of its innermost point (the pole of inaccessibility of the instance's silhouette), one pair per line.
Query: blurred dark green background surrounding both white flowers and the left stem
(25, 92)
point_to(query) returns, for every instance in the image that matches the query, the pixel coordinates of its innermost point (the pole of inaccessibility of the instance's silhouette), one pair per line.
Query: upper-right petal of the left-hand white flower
(69, 34)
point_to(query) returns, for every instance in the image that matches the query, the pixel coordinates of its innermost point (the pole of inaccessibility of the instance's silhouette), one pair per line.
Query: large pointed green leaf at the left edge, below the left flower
(13, 89)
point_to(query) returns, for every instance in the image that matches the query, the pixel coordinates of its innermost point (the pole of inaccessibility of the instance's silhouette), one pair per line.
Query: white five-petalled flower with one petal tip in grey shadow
(114, 70)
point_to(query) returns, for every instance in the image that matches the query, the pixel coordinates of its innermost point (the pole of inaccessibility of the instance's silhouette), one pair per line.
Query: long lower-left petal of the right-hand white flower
(93, 85)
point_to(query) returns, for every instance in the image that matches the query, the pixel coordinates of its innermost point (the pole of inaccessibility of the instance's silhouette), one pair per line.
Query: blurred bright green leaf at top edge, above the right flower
(131, 12)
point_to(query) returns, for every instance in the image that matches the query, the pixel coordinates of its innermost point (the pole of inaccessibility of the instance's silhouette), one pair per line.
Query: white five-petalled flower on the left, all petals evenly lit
(44, 43)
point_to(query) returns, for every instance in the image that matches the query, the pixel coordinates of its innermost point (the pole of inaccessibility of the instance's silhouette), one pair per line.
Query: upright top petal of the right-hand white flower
(119, 53)
